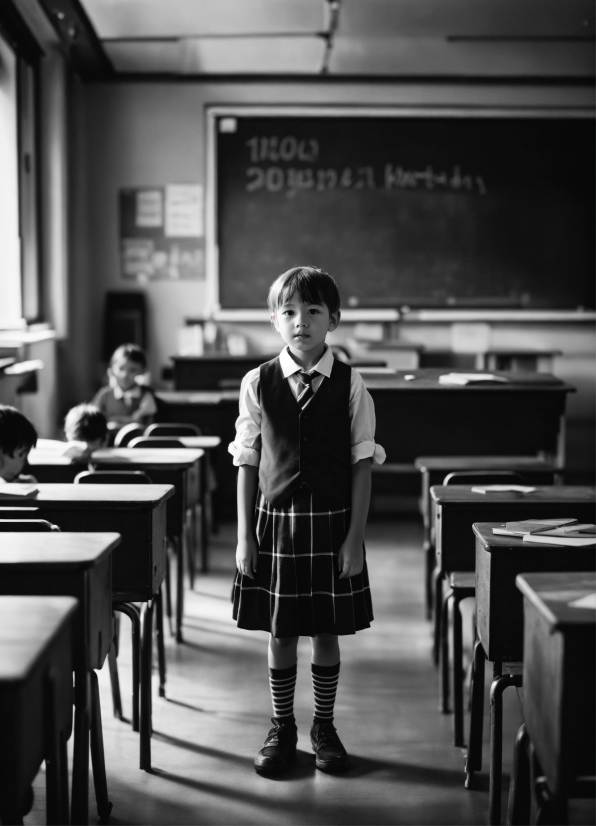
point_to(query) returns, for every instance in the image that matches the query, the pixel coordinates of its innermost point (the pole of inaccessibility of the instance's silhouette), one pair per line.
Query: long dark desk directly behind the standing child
(418, 417)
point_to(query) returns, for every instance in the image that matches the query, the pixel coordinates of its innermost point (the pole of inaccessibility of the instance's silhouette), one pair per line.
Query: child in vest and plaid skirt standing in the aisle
(305, 443)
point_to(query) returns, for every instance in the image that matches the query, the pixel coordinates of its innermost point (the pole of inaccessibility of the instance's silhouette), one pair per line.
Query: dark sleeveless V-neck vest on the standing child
(311, 445)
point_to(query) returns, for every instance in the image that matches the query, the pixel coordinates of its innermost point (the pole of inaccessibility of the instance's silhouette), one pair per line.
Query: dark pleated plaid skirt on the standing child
(297, 590)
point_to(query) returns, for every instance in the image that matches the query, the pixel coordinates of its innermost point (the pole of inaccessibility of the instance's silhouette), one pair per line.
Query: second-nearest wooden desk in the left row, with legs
(80, 566)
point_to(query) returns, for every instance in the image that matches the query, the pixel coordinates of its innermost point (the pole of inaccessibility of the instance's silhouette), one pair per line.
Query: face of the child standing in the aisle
(304, 326)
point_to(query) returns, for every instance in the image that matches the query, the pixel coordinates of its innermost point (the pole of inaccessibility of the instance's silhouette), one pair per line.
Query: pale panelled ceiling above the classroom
(363, 38)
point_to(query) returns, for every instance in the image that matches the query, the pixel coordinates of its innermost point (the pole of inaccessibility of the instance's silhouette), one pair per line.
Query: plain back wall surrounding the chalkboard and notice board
(153, 133)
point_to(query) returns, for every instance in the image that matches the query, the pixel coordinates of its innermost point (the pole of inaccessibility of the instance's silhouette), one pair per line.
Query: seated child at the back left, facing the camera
(126, 400)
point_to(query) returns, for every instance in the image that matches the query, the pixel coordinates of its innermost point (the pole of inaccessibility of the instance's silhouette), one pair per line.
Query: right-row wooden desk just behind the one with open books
(456, 508)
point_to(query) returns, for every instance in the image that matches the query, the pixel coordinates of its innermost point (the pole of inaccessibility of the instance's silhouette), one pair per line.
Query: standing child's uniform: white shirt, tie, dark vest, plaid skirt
(304, 455)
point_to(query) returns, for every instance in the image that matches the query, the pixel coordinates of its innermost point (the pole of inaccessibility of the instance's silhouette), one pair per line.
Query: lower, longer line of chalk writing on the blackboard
(292, 180)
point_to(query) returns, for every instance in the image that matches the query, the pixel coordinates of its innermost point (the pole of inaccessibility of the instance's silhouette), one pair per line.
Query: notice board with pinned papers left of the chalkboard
(162, 233)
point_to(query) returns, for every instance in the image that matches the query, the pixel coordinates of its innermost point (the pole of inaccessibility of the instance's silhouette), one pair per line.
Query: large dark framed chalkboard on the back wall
(426, 211)
